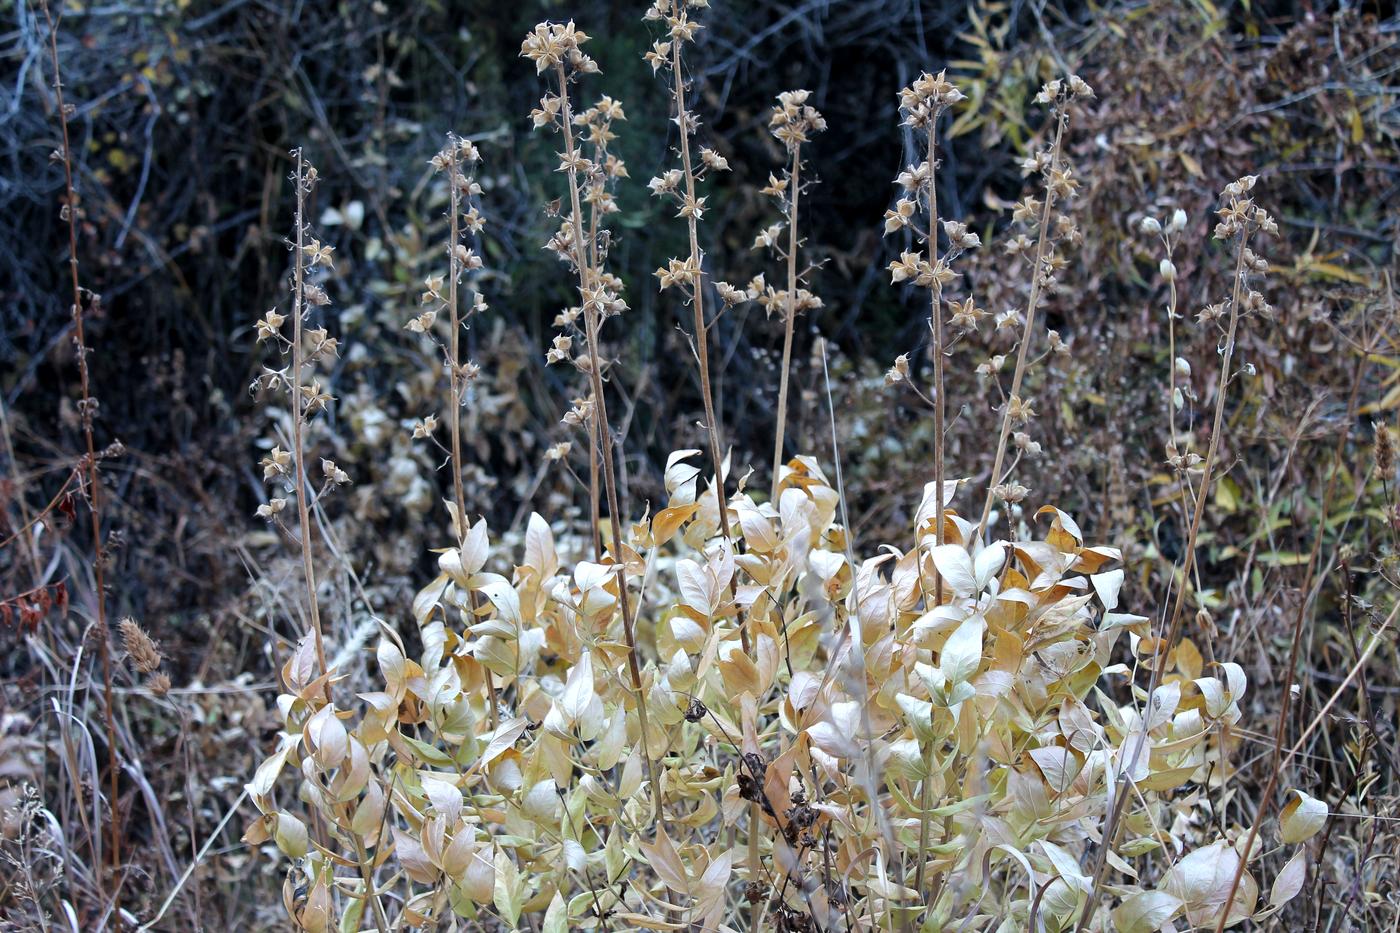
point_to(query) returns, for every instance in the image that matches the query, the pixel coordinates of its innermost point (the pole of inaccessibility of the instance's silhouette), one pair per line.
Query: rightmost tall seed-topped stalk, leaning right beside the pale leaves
(1111, 829)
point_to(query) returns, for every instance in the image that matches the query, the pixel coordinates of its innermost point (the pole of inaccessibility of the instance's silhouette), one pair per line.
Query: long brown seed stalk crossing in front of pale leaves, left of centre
(586, 279)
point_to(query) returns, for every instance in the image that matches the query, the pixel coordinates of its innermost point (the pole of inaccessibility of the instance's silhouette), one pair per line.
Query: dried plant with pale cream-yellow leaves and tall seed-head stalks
(979, 717)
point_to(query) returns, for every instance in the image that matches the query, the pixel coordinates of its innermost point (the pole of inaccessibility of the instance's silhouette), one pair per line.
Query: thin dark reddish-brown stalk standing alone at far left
(93, 481)
